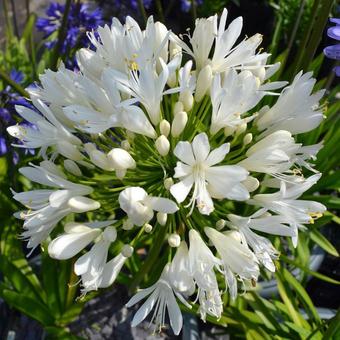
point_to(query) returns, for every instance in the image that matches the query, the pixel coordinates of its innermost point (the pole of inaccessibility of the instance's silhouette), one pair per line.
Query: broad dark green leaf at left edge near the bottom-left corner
(28, 306)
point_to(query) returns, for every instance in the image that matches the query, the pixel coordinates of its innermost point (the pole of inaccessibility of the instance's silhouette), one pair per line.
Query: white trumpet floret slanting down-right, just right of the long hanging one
(237, 260)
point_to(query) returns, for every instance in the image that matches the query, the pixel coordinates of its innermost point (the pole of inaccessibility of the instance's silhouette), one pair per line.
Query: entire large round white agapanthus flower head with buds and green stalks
(139, 144)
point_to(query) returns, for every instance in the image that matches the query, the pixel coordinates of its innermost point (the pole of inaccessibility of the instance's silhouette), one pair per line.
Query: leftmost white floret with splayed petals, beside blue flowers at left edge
(46, 132)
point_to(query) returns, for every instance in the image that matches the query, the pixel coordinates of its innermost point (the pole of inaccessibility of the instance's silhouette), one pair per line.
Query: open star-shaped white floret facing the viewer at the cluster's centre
(196, 169)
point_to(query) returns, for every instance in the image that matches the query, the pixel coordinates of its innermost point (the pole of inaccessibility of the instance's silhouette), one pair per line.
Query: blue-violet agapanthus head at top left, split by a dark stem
(80, 20)
